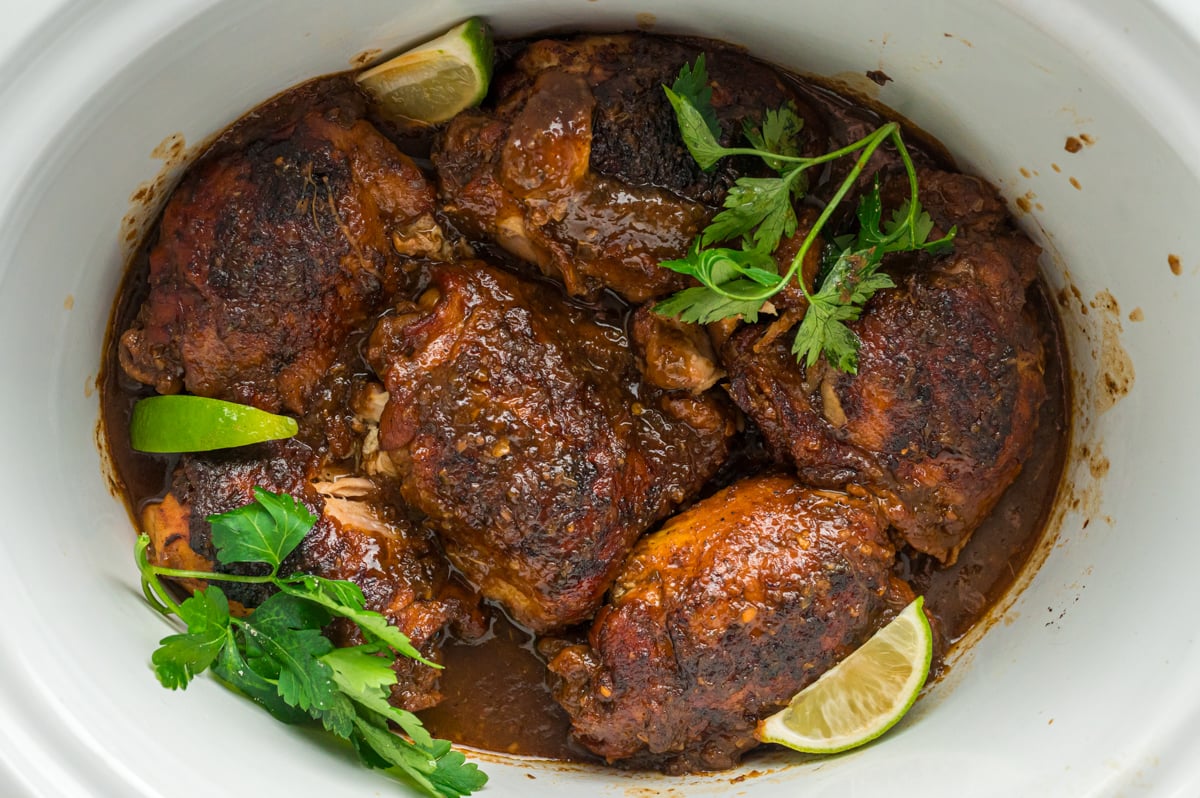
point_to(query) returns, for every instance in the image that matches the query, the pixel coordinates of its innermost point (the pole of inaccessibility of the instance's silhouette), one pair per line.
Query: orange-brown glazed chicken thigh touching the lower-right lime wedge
(721, 617)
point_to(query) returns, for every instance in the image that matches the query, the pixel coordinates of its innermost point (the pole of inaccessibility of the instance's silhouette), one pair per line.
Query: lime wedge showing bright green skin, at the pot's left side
(179, 423)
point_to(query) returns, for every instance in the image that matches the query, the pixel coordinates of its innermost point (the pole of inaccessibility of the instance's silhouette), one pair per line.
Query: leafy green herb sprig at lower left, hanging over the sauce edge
(280, 657)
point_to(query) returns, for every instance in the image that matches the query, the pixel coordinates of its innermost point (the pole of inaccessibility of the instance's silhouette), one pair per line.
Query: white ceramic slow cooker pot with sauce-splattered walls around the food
(1085, 685)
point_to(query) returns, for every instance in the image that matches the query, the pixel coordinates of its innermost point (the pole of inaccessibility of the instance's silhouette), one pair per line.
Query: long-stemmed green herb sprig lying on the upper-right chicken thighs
(759, 213)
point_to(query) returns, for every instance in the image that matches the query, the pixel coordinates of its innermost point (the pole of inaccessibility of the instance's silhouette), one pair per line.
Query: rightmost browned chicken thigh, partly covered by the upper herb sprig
(943, 411)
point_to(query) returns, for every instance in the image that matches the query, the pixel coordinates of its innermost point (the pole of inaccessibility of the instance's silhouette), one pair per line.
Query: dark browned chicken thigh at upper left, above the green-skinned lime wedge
(269, 255)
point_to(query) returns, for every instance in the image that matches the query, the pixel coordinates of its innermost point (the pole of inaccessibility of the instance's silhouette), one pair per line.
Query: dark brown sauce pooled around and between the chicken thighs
(495, 691)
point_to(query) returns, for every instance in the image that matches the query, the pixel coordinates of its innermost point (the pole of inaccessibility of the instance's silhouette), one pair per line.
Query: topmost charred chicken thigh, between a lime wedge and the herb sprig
(581, 169)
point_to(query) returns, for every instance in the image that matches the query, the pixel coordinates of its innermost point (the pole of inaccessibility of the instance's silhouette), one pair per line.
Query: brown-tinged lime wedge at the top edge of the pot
(434, 82)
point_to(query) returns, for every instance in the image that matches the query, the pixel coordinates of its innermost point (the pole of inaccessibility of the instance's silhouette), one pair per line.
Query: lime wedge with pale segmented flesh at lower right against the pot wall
(862, 697)
